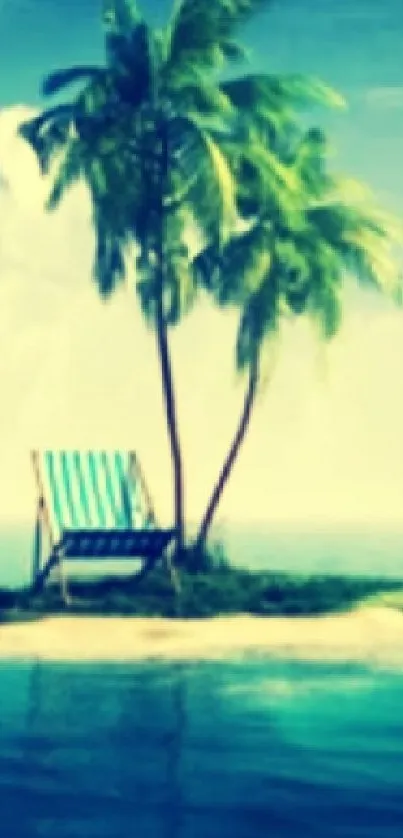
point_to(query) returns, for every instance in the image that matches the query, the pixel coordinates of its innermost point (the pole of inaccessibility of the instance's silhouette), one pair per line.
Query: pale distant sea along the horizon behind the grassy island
(362, 550)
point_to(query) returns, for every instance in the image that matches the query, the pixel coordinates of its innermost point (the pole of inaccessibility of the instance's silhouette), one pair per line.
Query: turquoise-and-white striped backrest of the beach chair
(92, 490)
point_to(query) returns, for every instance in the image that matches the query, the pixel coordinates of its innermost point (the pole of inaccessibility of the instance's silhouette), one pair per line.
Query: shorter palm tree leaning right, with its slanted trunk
(293, 260)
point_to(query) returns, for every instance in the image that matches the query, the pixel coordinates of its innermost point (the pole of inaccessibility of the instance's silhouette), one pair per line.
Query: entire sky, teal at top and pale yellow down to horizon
(326, 441)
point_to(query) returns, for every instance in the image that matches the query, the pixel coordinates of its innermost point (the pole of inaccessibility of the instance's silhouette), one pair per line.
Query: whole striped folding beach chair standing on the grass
(93, 505)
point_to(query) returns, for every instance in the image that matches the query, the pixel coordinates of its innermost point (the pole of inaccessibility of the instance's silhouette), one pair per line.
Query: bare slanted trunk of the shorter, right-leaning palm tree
(229, 462)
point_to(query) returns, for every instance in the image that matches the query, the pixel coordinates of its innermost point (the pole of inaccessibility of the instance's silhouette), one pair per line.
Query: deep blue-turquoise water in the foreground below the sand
(240, 749)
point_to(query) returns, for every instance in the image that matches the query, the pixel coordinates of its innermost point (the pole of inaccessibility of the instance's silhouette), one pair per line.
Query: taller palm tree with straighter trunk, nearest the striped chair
(152, 134)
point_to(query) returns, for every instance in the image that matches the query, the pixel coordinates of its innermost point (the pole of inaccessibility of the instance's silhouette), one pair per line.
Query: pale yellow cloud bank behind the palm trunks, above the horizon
(75, 372)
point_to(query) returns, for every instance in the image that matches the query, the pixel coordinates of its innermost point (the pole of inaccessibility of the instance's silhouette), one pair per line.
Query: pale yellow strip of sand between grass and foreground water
(366, 634)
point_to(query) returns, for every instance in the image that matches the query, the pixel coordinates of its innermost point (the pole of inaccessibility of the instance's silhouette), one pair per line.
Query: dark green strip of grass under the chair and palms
(216, 590)
